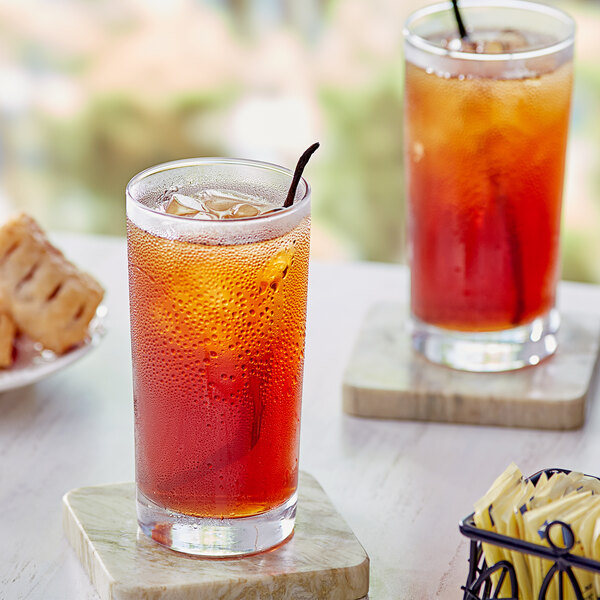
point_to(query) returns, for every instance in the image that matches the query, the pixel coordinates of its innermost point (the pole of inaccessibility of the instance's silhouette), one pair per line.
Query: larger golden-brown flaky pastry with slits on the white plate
(48, 298)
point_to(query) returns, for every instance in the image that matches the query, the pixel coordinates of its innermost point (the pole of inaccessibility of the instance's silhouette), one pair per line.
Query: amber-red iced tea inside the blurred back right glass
(485, 163)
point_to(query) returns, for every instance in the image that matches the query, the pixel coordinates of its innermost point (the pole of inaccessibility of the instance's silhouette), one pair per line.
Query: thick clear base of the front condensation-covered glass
(216, 538)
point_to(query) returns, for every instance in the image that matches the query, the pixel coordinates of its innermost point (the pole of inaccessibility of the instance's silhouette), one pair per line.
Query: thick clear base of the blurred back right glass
(490, 351)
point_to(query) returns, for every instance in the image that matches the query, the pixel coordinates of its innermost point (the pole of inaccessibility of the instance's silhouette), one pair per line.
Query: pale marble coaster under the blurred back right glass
(385, 378)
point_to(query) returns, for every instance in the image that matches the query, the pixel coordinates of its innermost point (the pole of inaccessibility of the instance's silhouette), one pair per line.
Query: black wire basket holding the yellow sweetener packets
(480, 583)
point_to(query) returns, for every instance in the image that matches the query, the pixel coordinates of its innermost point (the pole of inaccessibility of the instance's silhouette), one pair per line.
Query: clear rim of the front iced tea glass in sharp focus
(218, 160)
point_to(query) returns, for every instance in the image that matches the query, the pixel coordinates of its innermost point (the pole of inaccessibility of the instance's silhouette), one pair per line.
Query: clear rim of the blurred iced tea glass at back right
(424, 45)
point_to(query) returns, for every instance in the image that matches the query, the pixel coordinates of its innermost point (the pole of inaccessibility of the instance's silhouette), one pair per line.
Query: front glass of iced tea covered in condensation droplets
(218, 281)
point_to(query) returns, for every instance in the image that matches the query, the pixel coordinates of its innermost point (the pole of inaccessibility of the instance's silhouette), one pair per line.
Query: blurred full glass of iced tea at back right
(486, 122)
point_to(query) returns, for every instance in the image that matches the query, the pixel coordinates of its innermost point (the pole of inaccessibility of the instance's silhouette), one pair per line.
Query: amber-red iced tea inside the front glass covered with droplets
(218, 351)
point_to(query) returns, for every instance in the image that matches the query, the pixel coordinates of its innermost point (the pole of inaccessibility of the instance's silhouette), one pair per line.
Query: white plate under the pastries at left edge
(34, 363)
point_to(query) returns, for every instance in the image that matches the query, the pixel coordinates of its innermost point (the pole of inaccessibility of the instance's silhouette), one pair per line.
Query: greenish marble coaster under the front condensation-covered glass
(322, 560)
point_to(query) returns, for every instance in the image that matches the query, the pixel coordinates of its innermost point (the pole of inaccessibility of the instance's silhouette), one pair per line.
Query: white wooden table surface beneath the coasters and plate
(401, 486)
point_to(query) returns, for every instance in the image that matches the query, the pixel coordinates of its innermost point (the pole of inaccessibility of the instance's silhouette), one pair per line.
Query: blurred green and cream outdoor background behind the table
(92, 92)
